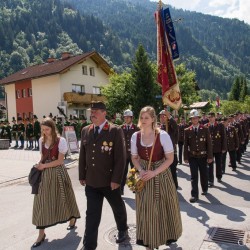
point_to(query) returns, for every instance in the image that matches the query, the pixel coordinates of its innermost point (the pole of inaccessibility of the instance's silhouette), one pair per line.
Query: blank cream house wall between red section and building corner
(46, 94)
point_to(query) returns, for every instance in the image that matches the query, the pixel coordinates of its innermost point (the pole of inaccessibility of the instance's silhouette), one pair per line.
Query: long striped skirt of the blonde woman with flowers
(157, 210)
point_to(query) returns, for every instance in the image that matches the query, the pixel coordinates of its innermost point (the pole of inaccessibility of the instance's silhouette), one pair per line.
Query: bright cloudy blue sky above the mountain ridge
(224, 8)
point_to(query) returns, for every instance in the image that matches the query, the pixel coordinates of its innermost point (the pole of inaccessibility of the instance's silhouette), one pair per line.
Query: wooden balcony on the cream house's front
(82, 98)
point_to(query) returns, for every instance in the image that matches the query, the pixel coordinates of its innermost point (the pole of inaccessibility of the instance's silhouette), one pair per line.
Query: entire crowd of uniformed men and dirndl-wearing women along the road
(153, 147)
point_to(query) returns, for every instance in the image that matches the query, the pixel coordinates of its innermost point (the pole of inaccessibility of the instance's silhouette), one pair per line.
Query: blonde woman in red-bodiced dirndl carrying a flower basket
(158, 219)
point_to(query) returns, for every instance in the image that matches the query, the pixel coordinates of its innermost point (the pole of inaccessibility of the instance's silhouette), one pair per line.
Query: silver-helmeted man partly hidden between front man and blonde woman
(128, 129)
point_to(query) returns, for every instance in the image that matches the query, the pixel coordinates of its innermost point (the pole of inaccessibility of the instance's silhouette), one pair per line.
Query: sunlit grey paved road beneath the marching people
(227, 206)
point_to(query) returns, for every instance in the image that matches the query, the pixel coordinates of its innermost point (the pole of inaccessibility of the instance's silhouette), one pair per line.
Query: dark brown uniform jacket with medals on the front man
(102, 160)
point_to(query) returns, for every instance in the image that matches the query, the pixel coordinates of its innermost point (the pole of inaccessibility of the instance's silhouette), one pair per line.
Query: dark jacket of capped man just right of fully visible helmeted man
(219, 138)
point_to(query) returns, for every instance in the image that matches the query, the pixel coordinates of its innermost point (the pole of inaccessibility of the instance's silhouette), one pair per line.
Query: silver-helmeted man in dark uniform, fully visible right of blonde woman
(197, 152)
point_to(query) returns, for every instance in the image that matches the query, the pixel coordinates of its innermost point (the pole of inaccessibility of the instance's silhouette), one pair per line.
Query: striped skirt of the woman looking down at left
(55, 202)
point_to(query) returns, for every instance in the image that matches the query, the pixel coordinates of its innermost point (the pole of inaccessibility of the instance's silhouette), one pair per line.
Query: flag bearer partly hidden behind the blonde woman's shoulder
(172, 130)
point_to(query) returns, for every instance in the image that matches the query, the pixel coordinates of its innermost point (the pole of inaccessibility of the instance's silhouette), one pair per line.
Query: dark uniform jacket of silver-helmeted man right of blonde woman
(199, 145)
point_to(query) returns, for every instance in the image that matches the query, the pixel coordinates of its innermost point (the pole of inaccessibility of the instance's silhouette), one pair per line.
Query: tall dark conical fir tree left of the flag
(145, 88)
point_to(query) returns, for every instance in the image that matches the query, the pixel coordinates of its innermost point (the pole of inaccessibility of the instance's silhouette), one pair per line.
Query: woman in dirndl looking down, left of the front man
(55, 202)
